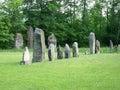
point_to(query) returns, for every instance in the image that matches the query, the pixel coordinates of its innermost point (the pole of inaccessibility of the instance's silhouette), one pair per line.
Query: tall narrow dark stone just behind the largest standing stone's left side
(30, 37)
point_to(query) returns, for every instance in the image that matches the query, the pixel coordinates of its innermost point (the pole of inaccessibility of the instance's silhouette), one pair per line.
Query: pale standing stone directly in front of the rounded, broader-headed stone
(51, 52)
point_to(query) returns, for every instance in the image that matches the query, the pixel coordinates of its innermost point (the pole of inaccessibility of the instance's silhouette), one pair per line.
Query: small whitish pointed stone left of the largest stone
(26, 57)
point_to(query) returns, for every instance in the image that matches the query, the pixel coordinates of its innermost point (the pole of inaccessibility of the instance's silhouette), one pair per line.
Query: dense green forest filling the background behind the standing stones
(68, 20)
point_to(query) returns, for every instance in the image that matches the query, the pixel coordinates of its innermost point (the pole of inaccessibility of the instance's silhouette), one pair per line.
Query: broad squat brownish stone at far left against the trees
(18, 41)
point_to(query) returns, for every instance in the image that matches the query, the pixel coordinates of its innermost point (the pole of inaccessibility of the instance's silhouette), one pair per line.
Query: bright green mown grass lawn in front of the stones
(86, 72)
